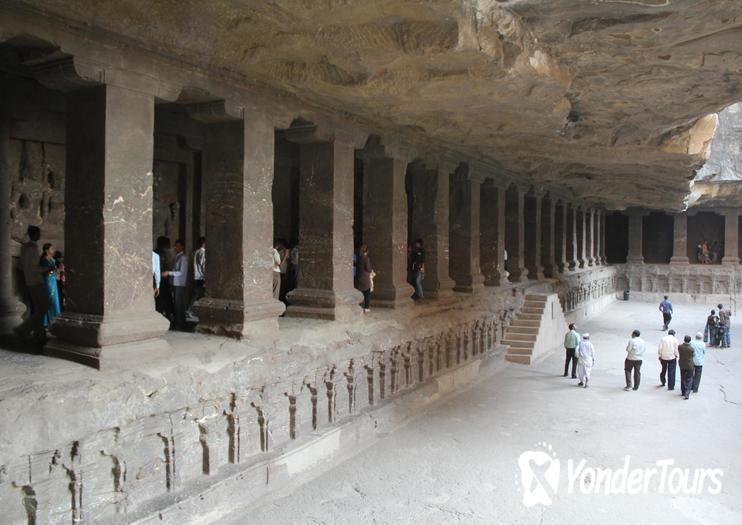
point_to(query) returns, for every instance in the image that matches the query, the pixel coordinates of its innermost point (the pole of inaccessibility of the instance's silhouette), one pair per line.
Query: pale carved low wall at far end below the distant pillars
(691, 283)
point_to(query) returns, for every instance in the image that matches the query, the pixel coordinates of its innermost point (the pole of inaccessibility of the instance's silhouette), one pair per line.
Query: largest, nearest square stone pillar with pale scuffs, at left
(110, 317)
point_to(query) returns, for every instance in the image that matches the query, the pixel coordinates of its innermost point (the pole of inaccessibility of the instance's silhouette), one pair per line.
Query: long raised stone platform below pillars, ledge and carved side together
(87, 446)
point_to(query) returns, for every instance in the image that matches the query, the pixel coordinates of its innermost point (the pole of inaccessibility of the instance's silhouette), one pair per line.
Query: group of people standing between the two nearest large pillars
(170, 280)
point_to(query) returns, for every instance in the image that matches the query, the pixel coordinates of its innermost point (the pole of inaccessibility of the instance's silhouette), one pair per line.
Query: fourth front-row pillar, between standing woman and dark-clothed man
(385, 228)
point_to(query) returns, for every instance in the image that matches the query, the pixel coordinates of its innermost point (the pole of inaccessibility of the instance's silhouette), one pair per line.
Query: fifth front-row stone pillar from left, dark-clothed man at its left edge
(430, 213)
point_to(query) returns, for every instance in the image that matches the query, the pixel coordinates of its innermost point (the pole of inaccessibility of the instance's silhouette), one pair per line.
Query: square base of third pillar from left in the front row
(325, 304)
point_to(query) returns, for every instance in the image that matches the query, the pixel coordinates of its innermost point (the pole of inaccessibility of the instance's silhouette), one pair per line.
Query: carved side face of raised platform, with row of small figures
(113, 474)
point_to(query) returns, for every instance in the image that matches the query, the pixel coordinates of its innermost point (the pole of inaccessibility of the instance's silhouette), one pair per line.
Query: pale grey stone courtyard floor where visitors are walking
(458, 463)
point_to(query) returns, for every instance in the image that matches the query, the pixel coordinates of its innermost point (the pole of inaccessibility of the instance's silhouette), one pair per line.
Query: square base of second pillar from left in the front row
(256, 322)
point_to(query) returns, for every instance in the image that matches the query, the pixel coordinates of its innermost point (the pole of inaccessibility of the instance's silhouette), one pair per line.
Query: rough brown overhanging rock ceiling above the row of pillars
(600, 96)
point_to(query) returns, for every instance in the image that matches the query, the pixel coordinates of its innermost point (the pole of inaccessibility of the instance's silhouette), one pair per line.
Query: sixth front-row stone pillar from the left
(465, 234)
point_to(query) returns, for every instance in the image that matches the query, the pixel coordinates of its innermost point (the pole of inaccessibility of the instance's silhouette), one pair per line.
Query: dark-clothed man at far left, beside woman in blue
(33, 274)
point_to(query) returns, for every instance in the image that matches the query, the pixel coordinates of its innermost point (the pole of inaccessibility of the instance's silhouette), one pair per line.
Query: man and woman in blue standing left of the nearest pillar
(44, 277)
